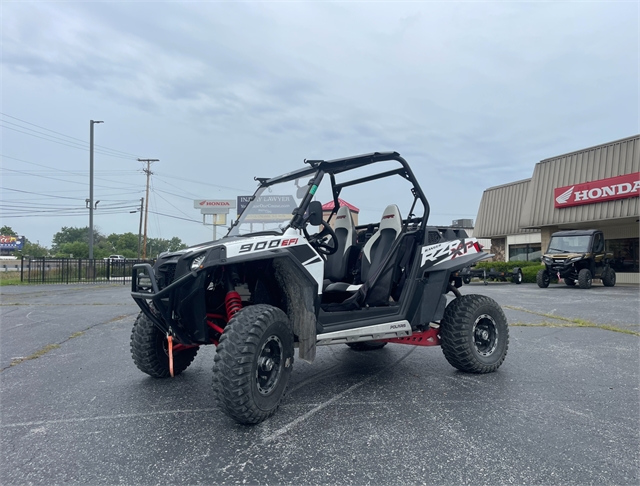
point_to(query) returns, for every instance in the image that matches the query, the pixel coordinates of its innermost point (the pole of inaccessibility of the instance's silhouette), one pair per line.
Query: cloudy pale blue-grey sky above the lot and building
(472, 94)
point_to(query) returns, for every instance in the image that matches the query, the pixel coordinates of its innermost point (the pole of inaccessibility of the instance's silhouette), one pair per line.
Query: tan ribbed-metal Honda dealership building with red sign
(593, 188)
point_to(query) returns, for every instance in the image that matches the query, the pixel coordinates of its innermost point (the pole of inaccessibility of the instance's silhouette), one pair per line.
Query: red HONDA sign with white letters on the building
(603, 190)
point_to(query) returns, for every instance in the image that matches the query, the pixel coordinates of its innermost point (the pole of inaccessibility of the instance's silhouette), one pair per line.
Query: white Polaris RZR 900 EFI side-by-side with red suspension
(284, 277)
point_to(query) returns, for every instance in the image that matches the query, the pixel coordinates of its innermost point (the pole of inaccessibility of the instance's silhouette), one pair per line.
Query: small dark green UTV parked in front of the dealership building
(577, 256)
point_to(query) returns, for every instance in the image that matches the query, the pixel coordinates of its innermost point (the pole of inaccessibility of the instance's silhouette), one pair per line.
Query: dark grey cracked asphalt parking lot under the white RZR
(563, 409)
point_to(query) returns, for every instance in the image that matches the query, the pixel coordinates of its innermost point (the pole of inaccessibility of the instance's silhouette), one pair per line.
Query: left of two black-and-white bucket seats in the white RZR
(337, 266)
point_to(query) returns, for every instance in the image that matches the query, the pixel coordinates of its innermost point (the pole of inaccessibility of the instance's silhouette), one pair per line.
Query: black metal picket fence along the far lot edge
(76, 270)
